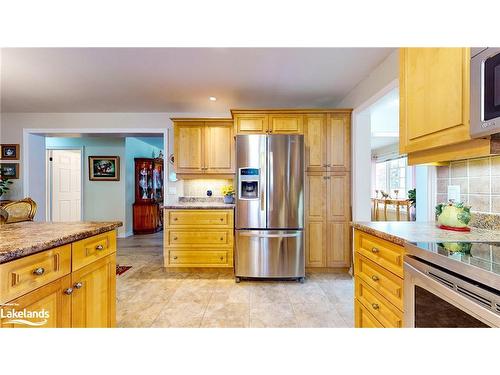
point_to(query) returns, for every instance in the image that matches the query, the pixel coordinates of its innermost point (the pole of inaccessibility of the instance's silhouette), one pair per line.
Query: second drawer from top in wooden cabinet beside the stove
(386, 283)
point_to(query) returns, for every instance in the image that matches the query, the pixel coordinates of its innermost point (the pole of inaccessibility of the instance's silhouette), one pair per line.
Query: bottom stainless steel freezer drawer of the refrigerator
(269, 254)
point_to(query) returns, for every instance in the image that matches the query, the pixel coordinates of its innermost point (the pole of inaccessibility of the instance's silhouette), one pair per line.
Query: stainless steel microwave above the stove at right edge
(485, 92)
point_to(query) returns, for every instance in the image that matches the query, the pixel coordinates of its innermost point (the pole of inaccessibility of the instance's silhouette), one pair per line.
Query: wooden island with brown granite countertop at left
(61, 274)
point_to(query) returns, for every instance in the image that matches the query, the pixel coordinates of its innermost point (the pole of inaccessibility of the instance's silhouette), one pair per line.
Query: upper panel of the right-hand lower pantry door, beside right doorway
(339, 197)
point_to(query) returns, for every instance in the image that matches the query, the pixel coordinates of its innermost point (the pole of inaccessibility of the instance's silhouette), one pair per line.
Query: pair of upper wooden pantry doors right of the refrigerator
(328, 139)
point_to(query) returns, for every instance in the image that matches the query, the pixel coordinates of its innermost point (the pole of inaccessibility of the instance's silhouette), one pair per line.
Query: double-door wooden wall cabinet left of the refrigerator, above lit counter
(203, 147)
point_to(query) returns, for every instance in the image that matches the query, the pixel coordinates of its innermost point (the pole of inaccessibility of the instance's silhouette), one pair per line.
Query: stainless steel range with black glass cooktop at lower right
(452, 285)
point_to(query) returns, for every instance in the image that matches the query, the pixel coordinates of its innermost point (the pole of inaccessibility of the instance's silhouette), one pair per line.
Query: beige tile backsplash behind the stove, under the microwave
(479, 181)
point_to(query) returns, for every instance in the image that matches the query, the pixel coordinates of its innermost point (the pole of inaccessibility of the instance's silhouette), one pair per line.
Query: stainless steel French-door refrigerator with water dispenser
(270, 207)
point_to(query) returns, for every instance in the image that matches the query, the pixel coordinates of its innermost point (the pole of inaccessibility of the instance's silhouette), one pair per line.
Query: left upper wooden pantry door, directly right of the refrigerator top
(315, 139)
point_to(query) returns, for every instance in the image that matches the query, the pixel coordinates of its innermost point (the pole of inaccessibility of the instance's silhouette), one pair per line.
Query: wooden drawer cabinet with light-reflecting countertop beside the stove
(378, 265)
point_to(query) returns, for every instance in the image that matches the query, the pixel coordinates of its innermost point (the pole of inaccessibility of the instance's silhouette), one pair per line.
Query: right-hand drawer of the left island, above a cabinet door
(93, 248)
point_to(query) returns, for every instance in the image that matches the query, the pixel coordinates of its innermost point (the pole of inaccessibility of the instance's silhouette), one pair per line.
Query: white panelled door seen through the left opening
(66, 185)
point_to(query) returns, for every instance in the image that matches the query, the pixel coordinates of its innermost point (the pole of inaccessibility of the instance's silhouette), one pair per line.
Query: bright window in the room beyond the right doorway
(392, 175)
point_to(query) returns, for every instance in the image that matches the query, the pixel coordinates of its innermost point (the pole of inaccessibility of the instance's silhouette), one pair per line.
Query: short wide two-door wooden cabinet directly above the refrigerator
(272, 122)
